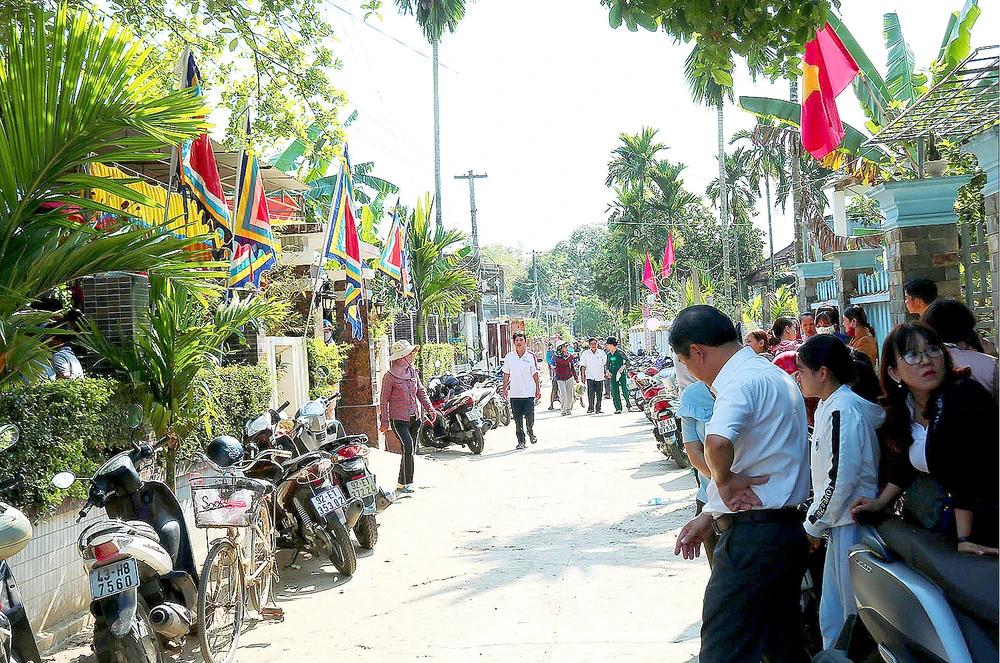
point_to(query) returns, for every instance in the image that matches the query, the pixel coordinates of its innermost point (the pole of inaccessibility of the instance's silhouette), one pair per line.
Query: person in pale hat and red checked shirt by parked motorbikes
(400, 400)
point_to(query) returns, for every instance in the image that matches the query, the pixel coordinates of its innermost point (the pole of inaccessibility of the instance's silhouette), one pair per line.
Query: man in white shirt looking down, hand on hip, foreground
(757, 448)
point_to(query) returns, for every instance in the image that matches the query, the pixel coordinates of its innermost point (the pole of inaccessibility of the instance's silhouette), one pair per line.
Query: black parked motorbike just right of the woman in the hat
(460, 422)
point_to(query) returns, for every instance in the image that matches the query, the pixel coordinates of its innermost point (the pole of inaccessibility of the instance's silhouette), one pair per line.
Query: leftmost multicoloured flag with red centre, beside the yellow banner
(199, 175)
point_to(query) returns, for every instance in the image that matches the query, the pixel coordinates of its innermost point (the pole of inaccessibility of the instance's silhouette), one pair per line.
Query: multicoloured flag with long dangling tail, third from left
(342, 244)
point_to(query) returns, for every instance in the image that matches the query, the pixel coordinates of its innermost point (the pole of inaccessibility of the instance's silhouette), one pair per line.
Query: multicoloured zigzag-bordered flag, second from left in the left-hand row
(251, 220)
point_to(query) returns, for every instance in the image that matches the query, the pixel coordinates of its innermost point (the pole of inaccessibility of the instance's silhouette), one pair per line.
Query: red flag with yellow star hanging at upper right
(827, 69)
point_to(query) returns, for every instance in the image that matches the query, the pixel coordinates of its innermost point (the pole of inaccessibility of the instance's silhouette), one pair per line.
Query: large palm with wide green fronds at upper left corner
(94, 83)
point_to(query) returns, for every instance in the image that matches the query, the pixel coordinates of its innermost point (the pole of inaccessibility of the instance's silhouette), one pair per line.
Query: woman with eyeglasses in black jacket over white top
(942, 441)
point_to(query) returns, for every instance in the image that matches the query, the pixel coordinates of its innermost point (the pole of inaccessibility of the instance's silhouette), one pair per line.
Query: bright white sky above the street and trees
(534, 93)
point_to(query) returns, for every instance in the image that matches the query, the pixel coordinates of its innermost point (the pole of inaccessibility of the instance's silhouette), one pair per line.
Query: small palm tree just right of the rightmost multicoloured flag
(441, 284)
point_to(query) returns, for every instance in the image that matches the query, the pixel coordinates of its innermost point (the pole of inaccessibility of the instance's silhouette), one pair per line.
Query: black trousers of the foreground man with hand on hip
(751, 604)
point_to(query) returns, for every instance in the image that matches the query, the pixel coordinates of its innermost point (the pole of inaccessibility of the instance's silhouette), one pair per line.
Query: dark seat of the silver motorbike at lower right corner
(969, 582)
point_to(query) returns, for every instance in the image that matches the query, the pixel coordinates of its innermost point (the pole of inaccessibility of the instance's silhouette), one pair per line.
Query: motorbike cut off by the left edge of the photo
(17, 640)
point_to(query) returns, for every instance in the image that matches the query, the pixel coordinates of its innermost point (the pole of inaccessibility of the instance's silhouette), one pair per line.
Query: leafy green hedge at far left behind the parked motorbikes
(65, 425)
